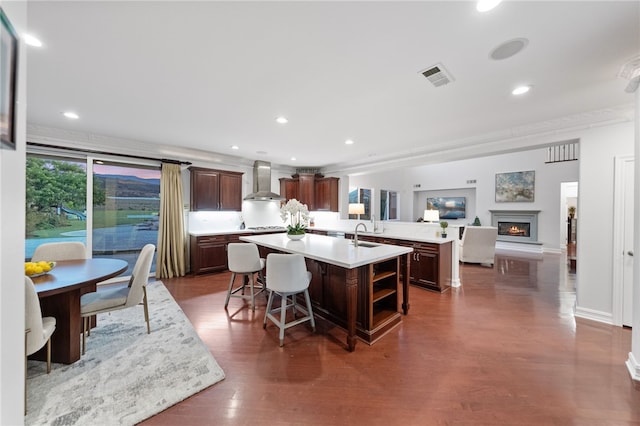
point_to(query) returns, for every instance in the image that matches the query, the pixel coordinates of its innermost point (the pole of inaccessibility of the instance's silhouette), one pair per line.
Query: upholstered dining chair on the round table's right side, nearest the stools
(113, 298)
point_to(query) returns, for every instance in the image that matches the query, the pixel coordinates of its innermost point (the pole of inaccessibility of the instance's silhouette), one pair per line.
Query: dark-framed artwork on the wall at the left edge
(8, 77)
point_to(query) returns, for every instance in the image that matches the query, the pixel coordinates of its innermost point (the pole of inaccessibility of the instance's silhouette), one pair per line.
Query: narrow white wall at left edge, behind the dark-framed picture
(12, 227)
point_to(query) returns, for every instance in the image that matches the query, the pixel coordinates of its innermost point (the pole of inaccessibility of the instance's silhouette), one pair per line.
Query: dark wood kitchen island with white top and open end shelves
(356, 288)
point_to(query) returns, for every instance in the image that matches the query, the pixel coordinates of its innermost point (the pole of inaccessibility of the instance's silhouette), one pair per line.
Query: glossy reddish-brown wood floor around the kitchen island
(503, 349)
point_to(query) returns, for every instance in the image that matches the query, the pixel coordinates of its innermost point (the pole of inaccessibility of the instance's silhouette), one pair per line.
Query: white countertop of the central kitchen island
(336, 251)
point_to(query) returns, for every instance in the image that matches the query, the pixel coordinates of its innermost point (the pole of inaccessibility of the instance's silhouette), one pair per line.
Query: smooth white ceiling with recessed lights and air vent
(209, 75)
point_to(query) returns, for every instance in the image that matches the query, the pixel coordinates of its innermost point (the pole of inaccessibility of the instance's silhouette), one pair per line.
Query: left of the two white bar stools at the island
(244, 259)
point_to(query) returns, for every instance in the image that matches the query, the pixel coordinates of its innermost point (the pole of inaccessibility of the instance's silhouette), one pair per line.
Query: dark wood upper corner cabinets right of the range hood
(314, 190)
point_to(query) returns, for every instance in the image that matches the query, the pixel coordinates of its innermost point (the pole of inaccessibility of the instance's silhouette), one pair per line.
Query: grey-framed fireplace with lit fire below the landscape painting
(516, 225)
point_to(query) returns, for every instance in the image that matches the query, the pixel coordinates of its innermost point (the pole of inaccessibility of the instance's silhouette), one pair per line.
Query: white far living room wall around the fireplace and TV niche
(450, 179)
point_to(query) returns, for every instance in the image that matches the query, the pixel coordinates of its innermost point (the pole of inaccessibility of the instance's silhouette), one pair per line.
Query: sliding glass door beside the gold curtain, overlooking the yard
(123, 199)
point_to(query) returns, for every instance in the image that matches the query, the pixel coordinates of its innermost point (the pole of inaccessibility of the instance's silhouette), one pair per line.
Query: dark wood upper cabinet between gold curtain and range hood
(215, 189)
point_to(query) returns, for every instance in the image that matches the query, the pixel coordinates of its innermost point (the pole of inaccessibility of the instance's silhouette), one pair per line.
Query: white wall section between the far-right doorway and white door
(598, 148)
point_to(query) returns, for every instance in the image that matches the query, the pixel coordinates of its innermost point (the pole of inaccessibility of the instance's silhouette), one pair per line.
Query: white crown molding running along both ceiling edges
(529, 136)
